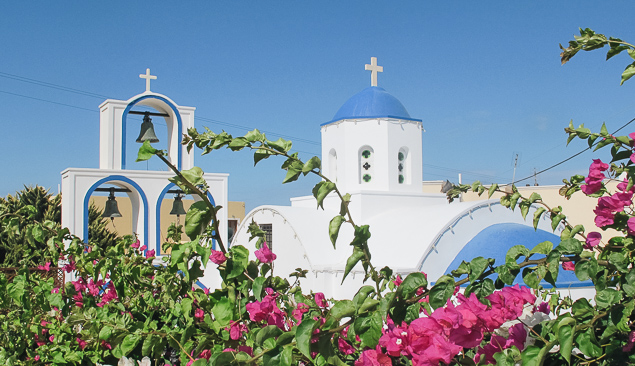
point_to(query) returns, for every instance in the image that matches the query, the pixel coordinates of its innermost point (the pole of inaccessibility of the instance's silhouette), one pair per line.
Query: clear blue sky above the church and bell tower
(484, 76)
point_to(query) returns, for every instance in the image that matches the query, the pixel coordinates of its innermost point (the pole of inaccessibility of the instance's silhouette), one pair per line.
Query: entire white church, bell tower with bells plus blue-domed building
(372, 149)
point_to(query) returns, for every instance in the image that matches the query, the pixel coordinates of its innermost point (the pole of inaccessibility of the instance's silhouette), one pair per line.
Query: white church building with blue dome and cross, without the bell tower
(372, 149)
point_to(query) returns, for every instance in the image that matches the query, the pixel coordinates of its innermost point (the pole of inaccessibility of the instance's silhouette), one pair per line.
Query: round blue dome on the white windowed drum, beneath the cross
(372, 102)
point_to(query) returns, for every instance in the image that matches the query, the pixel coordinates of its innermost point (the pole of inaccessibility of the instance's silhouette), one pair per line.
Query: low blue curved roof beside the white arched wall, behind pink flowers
(494, 241)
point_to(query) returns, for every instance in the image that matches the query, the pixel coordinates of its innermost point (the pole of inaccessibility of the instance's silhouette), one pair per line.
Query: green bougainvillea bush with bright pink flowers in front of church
(124, 306)
